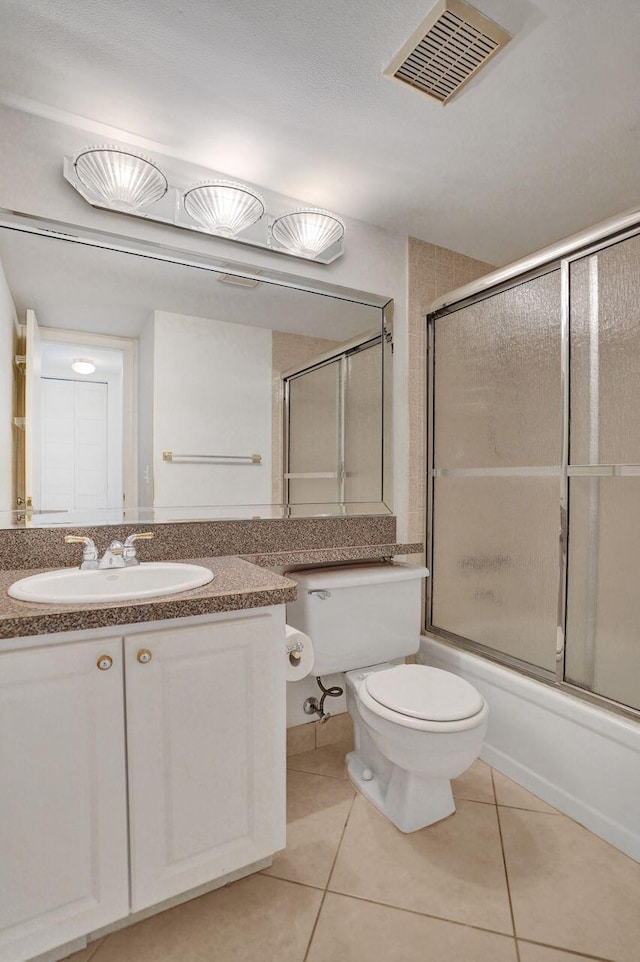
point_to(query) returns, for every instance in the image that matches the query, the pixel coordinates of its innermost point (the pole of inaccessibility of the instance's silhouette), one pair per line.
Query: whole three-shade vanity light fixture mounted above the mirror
(119, 179)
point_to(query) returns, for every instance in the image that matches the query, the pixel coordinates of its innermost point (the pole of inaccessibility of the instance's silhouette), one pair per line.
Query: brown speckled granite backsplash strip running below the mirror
(45, 547)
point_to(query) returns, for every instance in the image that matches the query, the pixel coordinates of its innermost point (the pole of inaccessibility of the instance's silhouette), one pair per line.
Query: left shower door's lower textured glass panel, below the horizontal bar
(496, 564)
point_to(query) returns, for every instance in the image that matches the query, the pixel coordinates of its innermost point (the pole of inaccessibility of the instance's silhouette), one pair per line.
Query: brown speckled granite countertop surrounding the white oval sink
(236, 584)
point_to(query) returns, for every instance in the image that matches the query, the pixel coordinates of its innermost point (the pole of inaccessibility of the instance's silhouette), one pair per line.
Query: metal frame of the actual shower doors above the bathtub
(511, 279)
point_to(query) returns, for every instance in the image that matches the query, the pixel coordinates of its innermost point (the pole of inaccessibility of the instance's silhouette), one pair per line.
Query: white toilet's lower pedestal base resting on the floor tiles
(406, 799)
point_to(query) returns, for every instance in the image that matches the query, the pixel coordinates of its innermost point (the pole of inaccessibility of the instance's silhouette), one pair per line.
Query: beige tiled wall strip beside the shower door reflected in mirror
(288, 350)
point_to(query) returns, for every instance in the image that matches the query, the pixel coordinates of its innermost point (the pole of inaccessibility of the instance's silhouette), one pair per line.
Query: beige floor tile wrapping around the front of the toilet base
(453, 870)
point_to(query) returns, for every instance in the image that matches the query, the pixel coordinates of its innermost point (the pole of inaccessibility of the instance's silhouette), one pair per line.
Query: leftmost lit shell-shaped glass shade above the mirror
(124, 180)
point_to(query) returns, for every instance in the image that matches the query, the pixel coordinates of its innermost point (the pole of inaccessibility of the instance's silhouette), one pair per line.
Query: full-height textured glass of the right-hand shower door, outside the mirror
(603, 599)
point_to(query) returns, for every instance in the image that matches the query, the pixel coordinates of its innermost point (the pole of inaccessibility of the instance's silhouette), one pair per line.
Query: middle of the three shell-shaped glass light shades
(223, 206)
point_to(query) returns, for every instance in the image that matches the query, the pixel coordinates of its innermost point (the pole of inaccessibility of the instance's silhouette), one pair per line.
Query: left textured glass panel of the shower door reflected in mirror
(314, 431)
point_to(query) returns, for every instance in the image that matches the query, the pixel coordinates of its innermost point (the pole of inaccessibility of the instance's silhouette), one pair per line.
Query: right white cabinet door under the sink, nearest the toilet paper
(206, 730)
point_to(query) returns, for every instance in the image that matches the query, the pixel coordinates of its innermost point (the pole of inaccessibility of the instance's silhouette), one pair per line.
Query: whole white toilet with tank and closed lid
(416, 727)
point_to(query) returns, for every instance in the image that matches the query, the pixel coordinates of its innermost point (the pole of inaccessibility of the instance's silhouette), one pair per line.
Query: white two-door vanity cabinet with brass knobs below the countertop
(126, 785)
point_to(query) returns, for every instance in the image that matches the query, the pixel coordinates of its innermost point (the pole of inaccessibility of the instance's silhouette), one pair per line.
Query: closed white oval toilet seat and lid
(422, 698)
